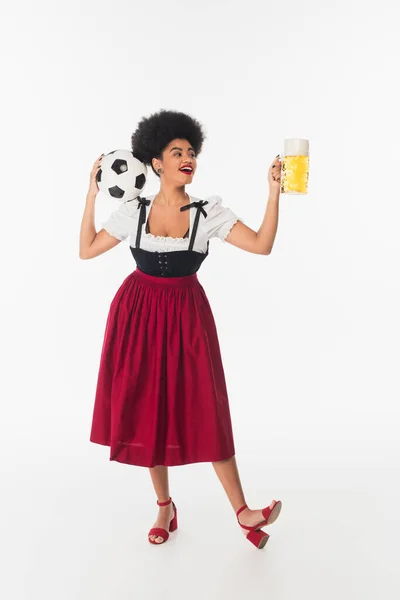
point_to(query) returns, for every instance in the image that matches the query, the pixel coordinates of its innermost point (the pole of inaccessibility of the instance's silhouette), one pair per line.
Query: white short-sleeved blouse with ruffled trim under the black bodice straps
(123, 223)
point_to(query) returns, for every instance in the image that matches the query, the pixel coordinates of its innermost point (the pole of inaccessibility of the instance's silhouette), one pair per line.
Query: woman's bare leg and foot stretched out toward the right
(228, 475)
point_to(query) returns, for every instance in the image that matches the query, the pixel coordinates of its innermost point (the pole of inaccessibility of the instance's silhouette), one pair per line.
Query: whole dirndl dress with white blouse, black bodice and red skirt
(161, 396)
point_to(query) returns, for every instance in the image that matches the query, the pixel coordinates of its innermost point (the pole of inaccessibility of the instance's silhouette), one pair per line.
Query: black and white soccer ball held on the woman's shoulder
(121, 175)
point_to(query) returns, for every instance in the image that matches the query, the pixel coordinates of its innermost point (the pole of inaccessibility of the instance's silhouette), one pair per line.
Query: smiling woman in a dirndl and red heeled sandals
(161, 397)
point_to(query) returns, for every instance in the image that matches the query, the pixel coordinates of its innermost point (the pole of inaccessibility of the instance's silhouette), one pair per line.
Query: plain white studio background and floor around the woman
(309, 334)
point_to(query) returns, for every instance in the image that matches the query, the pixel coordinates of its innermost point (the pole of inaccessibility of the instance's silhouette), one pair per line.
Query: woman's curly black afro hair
(154, 133)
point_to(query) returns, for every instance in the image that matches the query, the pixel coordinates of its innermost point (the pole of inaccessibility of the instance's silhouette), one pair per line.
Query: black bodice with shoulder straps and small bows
(176, 263)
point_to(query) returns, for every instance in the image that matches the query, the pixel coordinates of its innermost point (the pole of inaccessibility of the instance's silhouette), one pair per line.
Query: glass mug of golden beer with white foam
(295, 167)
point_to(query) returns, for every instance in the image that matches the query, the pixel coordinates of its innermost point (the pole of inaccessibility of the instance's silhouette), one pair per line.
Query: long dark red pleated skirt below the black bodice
(161, 396)
